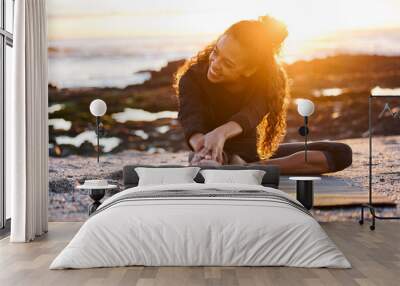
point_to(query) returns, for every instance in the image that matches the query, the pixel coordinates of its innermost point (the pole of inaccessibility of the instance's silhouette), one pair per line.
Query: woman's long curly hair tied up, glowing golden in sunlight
(262, 40)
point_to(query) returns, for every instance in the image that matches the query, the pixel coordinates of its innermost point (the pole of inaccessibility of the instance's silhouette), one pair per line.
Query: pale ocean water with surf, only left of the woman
(114, 62)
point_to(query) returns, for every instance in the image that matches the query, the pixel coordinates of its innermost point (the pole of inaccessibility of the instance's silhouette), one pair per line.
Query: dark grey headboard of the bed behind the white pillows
(270, 179)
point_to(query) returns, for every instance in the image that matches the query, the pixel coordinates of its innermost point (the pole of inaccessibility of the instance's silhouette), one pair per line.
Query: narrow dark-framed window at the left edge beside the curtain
(6, 43)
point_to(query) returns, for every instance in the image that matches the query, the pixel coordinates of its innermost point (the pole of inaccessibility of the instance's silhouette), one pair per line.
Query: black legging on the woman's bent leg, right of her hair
(339, 155)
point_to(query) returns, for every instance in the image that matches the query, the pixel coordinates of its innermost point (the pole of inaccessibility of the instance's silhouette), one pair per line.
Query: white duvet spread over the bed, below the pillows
(200, 231)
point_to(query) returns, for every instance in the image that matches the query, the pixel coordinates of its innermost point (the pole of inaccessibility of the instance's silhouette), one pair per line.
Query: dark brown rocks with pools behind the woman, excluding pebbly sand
(339, 86)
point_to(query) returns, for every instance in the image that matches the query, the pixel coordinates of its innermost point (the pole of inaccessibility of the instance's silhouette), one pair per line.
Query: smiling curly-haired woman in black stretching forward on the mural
(233, 99)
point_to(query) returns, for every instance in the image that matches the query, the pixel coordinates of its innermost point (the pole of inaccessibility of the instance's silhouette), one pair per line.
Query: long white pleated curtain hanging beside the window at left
(27, 123)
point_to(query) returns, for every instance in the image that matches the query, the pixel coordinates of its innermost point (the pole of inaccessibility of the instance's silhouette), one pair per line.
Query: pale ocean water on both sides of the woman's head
(119, 62)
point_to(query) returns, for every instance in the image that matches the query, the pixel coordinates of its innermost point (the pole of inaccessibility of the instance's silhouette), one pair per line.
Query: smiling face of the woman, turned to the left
(228, 62)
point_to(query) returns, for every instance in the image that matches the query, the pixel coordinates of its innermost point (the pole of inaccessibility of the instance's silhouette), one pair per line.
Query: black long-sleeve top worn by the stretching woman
(205, 106)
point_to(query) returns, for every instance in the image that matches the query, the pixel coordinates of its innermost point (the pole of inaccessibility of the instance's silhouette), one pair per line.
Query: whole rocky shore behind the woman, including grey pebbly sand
(141, 127)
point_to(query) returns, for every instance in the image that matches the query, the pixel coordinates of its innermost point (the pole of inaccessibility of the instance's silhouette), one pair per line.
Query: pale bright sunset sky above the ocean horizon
(88, 19)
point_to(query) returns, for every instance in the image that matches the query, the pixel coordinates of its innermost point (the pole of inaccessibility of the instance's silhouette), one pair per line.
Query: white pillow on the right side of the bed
(249, 177)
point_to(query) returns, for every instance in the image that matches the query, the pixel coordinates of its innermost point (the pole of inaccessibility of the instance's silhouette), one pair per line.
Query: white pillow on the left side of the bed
(162, 176)
